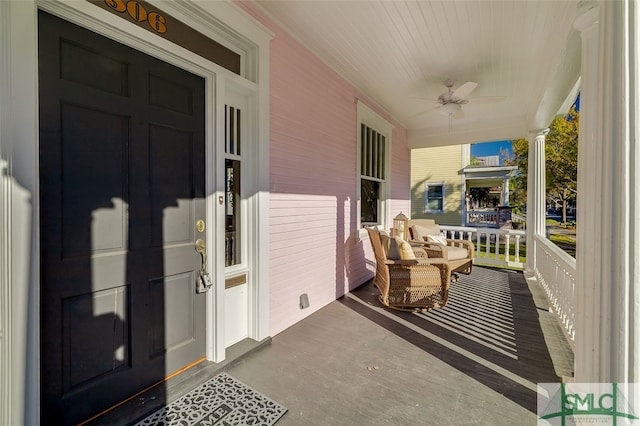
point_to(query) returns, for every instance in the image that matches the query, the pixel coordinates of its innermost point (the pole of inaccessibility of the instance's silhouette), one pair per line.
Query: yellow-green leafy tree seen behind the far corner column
(561, 162)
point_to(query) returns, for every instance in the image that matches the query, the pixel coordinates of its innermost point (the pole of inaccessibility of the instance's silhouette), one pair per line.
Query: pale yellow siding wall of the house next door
(434, 165)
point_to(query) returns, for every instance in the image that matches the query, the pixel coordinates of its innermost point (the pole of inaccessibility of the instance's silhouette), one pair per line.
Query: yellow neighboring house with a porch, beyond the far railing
(451, 187)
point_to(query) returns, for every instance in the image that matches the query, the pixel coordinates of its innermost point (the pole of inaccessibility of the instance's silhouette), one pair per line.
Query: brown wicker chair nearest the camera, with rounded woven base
(409, 285)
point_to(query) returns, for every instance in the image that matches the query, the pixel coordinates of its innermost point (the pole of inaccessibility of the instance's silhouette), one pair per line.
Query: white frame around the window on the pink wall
(366, 116)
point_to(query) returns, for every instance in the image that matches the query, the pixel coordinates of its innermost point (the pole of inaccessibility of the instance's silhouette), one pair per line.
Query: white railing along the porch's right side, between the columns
(556, 273)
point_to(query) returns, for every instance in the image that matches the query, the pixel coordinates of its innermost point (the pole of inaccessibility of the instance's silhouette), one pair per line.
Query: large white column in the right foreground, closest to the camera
(608, 251)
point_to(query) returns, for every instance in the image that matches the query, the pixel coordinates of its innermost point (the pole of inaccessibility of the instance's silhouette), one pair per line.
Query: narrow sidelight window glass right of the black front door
(232, 242)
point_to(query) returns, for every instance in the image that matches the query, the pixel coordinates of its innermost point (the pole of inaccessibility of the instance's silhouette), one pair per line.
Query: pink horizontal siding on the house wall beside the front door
(313, 244)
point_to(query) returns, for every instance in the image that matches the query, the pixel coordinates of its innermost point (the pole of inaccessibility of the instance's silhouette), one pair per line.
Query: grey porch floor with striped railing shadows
(476, 361)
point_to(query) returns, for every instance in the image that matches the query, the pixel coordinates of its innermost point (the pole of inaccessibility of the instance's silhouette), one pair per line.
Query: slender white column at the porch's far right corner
(536, 194)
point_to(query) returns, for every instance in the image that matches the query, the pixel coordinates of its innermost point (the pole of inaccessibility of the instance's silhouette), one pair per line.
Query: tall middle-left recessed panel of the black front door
(98, 160)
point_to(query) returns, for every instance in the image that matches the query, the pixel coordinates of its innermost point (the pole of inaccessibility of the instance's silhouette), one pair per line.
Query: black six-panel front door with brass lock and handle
(122, 185)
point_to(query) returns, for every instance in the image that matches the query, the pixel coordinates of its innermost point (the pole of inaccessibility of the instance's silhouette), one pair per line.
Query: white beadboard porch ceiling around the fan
(398, 51)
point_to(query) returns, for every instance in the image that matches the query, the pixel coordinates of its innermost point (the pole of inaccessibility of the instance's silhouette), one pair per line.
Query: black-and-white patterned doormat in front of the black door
(221, 401)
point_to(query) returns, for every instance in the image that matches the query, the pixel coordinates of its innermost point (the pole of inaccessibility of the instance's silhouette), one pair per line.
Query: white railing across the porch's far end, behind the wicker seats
(505, 240)
